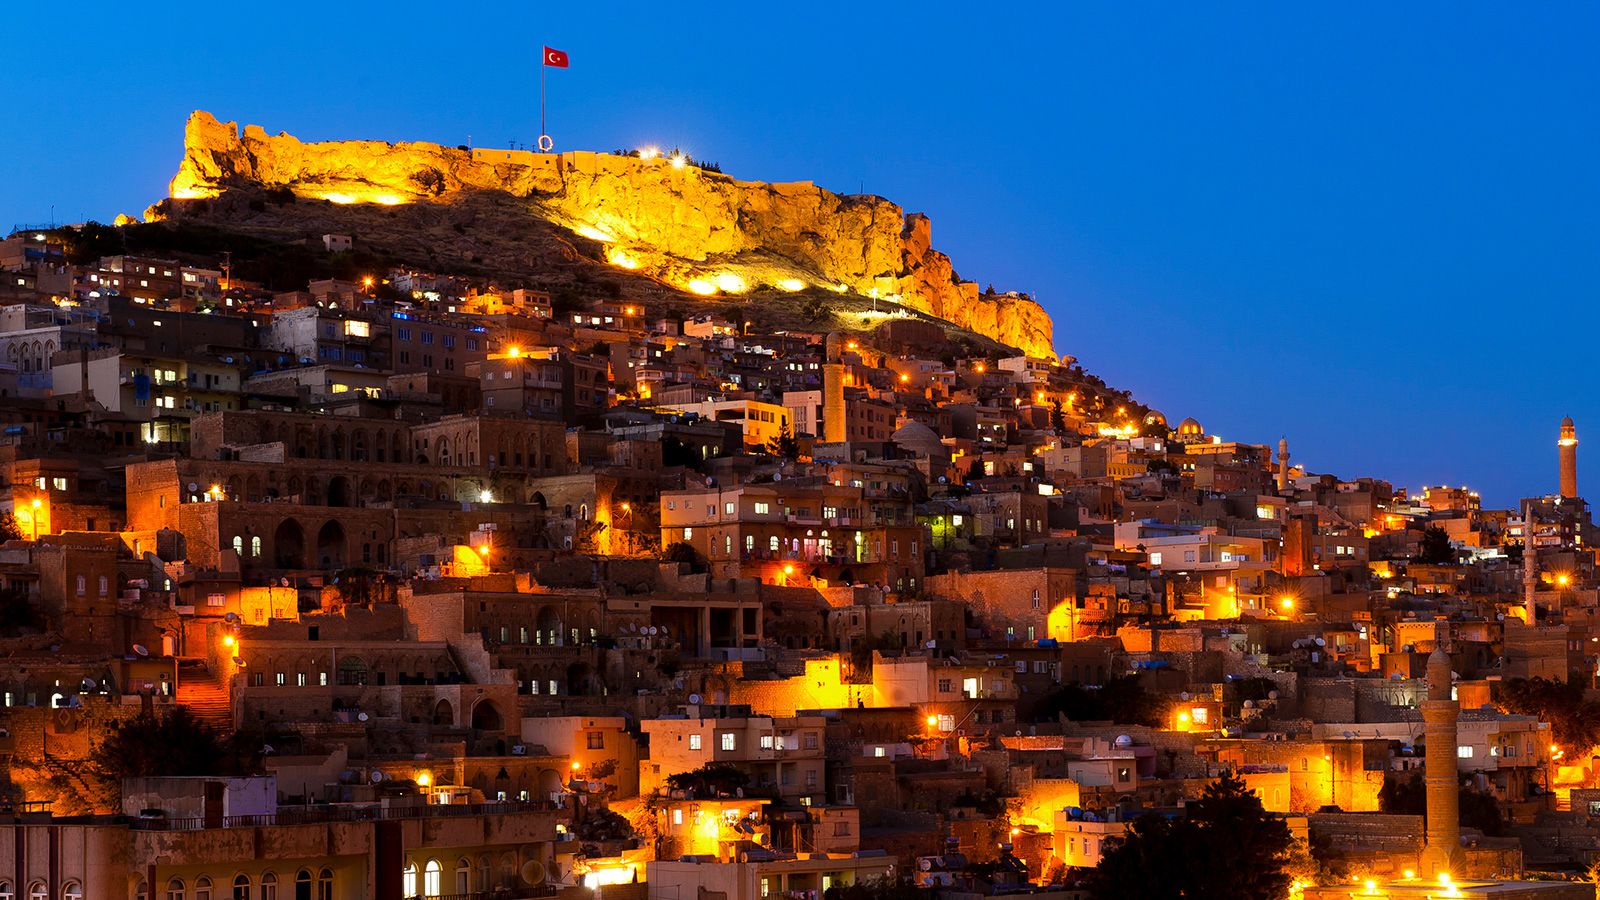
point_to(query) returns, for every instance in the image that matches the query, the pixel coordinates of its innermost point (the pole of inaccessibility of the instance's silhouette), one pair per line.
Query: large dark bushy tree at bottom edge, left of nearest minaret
(1226, 850)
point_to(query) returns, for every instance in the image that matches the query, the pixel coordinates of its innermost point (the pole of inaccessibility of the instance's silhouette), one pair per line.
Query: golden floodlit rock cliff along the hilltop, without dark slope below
(695, 230)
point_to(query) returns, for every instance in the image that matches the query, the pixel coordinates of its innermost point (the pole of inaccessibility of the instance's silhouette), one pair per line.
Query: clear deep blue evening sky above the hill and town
(1369, 227)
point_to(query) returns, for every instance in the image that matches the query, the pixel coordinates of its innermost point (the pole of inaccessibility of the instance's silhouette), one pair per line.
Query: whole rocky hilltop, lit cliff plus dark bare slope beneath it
(506, 214)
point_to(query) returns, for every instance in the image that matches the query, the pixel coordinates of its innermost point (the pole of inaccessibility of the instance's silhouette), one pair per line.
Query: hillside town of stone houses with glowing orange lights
(410, 585)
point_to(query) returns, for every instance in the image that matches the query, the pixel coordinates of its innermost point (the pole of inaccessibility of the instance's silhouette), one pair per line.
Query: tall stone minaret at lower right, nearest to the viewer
(1442, 854)
